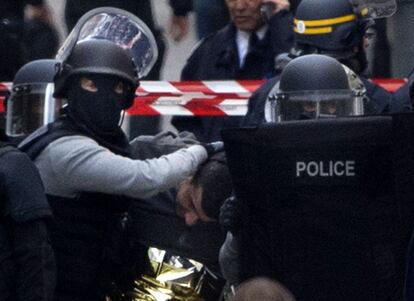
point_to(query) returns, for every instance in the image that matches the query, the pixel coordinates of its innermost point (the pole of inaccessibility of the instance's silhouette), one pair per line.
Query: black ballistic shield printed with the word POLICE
(329, 202)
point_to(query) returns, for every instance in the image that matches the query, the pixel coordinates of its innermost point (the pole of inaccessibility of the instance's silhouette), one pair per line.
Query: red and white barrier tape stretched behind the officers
(199, 98)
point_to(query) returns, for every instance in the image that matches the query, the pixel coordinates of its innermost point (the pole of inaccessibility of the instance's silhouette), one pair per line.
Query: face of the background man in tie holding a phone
(246, 14)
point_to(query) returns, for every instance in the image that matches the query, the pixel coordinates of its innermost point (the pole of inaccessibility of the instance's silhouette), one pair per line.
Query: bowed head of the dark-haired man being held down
(201, 197)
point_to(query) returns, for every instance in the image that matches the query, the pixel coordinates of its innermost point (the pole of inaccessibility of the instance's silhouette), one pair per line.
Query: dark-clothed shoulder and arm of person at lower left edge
(27, 263)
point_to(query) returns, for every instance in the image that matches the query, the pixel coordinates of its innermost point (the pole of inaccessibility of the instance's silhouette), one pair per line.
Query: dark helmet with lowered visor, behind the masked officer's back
(31, 104)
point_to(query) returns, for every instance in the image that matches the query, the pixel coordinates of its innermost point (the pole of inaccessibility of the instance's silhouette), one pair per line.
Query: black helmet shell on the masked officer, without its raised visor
(98, 57)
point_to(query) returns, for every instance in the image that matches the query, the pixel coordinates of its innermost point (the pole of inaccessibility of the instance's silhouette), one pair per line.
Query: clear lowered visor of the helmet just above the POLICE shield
(315, 105)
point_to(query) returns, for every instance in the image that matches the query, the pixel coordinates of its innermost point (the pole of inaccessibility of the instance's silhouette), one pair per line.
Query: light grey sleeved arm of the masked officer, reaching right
(80, 164)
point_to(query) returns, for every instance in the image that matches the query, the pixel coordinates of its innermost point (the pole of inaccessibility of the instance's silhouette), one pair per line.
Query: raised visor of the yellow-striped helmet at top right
(375, 8)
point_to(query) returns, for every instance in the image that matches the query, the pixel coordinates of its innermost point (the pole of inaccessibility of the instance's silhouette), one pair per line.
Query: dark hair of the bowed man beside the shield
(214, 179)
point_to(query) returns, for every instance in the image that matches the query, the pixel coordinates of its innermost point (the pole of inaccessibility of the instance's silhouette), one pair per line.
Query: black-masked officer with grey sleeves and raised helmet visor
(83, 157)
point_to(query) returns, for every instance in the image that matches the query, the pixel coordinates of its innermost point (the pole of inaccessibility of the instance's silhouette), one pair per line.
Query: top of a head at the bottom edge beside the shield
(262, 289)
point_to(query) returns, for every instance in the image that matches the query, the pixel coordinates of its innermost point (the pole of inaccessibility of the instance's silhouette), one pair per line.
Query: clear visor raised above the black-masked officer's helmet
(119, 27)
